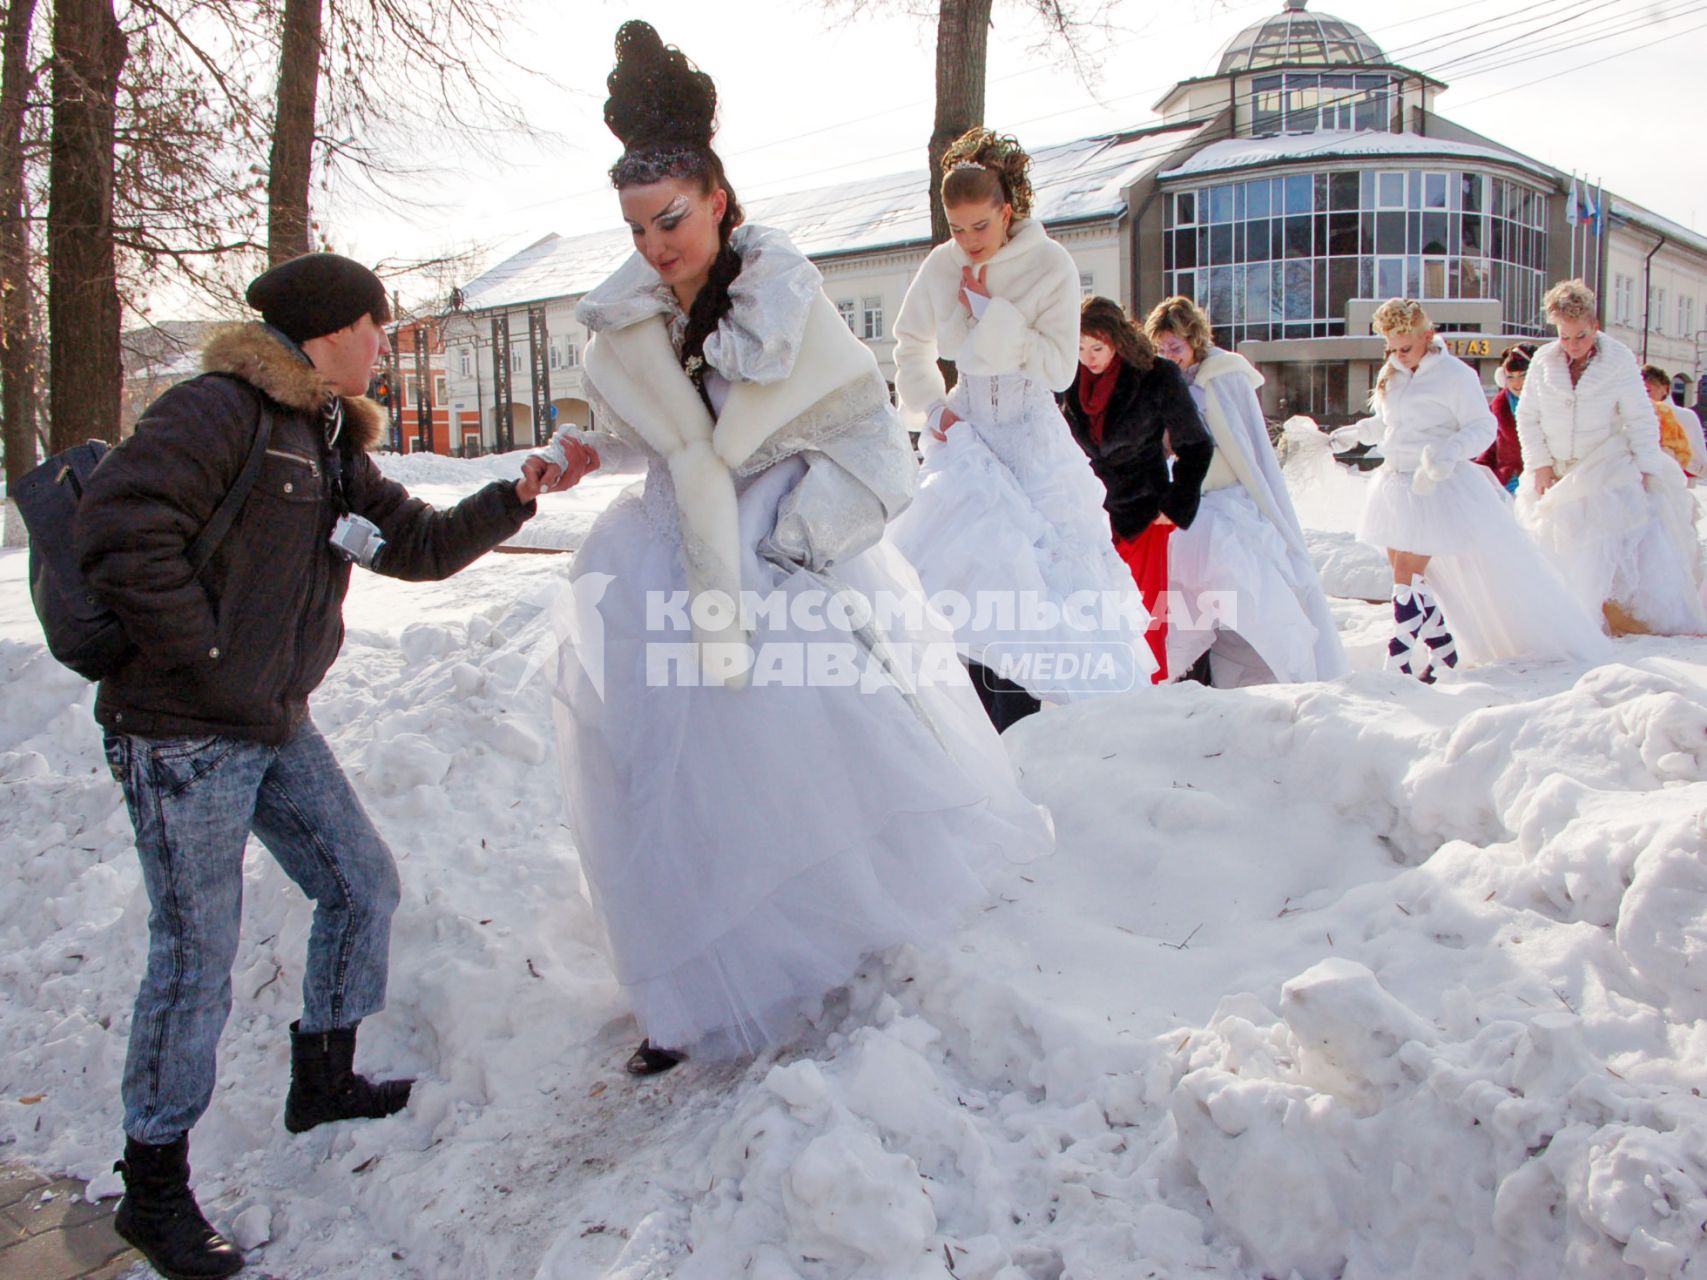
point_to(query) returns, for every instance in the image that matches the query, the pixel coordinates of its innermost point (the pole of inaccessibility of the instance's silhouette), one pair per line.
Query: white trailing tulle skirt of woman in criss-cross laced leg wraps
(1498, 591)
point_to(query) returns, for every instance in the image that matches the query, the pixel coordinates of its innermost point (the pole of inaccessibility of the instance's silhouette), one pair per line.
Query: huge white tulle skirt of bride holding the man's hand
(745, 849)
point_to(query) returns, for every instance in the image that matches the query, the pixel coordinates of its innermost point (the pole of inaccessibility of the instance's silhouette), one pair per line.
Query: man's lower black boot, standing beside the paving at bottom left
(160, 1216)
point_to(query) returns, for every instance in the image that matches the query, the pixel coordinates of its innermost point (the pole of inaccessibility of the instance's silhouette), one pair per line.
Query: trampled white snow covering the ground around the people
(1339, 980)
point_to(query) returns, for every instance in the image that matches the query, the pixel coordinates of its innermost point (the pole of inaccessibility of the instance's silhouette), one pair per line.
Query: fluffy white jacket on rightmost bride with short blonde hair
(1609, 409)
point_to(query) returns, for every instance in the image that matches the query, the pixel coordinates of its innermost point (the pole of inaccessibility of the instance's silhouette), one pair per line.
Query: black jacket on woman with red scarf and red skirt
(1150, 414)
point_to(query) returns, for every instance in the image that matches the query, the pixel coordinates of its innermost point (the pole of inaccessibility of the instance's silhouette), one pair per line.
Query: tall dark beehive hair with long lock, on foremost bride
(665, 112)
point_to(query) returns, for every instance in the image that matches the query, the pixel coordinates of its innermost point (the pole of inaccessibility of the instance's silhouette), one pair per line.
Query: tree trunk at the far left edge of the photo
(18, 330)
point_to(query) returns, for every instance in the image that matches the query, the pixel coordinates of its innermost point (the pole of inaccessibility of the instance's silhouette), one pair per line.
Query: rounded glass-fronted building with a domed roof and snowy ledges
(1315, 182)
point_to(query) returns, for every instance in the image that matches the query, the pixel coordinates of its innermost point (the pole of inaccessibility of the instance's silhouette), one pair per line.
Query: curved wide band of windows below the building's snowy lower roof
(1283, 257)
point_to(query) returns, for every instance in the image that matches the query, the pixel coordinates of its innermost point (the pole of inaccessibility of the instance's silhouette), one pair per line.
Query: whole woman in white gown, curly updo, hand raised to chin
(1010, 523)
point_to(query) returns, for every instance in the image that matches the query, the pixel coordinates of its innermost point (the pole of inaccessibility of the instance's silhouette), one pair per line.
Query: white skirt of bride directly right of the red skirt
(1230, 573)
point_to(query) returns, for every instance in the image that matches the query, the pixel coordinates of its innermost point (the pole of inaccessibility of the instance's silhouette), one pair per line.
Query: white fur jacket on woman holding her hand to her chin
(1030, 327)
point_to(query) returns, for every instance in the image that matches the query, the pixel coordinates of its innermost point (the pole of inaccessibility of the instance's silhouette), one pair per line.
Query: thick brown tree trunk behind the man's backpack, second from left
(86, 375)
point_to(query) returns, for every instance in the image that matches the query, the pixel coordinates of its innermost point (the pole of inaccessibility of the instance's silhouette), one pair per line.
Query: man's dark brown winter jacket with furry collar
(240, 649)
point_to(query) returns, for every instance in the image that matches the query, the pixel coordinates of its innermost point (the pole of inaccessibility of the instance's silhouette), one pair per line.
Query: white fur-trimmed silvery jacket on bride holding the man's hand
(800, 383)
